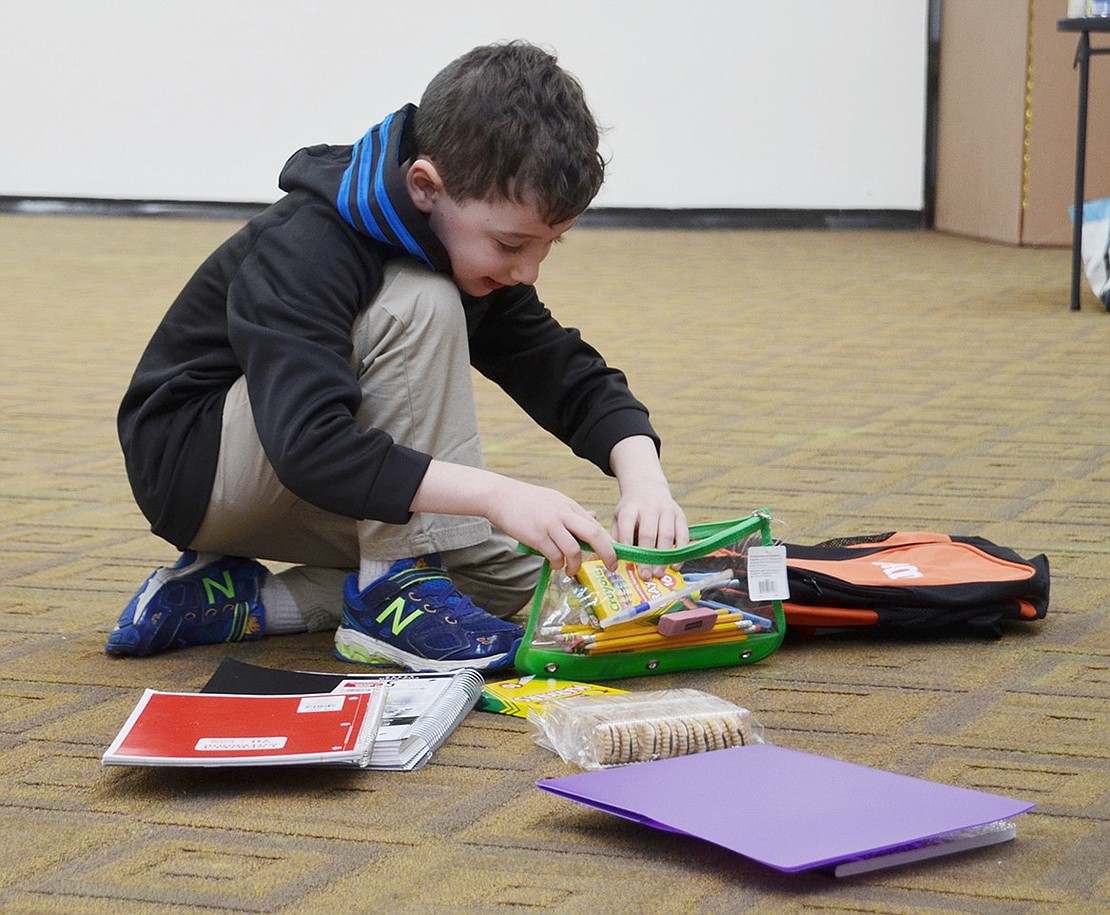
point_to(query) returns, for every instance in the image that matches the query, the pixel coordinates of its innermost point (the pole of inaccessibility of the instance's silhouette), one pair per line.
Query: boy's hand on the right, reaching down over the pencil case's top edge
(647, 515)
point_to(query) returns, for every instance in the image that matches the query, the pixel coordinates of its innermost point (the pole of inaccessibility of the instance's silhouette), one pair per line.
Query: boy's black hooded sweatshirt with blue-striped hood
(277, 303)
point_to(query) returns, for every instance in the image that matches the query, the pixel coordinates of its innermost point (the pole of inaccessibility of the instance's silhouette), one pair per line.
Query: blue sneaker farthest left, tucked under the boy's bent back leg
(201, 600)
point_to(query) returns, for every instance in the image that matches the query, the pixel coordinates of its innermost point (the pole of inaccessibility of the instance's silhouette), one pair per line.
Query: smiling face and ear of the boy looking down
(492, 245)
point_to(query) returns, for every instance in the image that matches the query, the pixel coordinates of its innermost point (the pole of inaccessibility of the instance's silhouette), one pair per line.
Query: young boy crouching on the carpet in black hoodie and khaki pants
(308, 398)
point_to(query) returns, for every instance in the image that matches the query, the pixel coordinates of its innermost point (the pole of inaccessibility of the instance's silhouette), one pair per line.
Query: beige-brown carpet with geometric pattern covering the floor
(853, 383)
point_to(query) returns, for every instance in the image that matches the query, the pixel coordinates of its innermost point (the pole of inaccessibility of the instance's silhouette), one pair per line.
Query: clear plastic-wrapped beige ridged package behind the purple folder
(597, 732)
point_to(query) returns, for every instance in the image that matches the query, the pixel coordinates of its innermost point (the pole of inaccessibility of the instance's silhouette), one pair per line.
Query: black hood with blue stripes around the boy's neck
(366, 183)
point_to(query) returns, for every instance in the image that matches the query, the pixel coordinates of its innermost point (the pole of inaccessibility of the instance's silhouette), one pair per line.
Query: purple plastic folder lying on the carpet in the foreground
(786, 809)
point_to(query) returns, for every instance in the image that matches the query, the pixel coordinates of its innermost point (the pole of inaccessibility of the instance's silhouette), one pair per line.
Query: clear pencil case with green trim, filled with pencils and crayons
(563, 632)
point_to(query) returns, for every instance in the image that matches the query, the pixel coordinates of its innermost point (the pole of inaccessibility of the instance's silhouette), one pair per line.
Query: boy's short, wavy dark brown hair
(507, 122)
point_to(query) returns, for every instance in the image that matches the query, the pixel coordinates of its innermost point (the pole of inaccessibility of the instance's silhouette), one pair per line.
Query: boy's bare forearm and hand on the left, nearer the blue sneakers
(541, 518)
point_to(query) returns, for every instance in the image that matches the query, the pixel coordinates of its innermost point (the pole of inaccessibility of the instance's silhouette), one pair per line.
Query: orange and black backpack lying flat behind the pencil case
(913, 581)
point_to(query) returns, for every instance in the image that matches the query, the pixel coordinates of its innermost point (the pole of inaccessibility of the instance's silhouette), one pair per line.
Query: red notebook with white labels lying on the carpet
(220, 730)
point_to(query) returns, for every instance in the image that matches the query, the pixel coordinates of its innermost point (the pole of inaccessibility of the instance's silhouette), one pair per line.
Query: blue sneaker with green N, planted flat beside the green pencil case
(415, 618)
